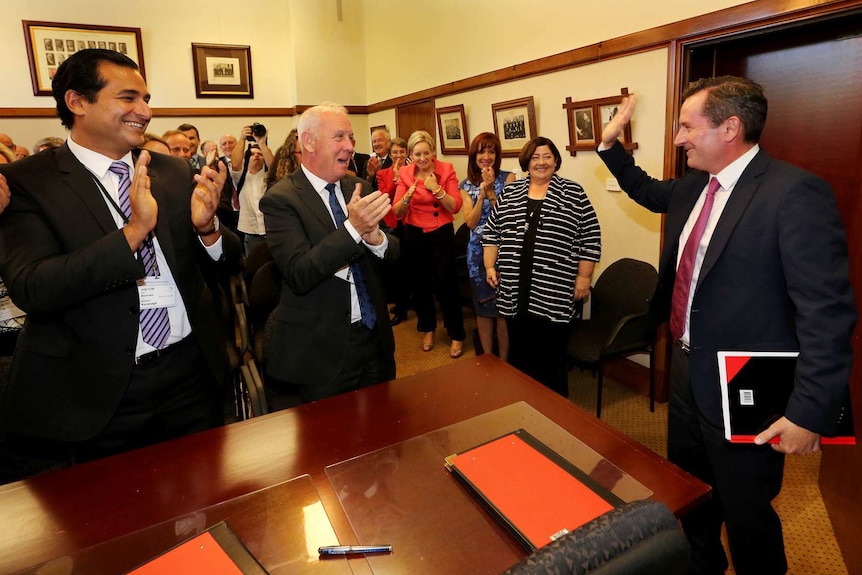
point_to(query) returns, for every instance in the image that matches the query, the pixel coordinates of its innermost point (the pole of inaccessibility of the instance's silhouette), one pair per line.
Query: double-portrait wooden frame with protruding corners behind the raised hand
(587, 120)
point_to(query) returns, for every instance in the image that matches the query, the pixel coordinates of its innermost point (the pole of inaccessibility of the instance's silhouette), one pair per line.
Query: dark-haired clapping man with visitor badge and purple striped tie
(109, 251)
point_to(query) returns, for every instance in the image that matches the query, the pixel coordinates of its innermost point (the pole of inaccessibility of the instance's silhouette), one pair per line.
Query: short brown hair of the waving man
(732, 96)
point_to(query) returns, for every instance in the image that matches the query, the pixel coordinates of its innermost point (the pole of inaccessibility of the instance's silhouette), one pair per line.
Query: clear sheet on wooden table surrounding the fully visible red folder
(403, 495)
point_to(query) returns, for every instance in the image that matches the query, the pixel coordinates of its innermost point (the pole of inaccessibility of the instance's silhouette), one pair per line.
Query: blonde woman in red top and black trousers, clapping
(426, 197)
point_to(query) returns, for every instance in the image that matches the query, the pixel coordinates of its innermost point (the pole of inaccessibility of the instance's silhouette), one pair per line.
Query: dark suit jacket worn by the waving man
(775, 277)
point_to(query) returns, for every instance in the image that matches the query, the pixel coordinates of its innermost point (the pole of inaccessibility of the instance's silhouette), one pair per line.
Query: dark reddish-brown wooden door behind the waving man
(812, 74)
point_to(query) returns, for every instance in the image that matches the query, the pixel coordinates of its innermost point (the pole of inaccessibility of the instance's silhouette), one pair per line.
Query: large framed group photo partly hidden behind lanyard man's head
(50, 43)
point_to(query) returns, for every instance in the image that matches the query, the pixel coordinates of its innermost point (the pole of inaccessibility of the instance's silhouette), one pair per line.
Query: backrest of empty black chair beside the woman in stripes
(625, 288)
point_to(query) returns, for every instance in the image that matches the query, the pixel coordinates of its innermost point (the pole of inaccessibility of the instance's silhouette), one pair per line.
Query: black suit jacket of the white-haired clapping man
(313, 316)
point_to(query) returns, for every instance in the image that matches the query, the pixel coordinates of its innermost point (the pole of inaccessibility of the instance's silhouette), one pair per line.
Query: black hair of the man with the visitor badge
(80, 72)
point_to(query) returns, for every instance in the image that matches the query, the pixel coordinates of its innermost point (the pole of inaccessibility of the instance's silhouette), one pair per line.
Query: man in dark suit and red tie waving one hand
(754, 259)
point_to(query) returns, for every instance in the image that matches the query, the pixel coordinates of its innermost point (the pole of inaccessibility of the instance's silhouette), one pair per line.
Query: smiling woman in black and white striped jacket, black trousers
(541, 245)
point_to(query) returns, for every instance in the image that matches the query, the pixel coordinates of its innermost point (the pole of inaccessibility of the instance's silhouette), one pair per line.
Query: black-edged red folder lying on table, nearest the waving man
(537, 494)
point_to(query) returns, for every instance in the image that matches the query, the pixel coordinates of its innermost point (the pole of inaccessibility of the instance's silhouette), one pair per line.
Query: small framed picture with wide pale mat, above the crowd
(222, 71)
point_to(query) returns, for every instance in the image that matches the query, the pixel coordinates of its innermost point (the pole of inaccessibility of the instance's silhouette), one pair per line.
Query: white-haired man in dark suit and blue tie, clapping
(332, 332)
